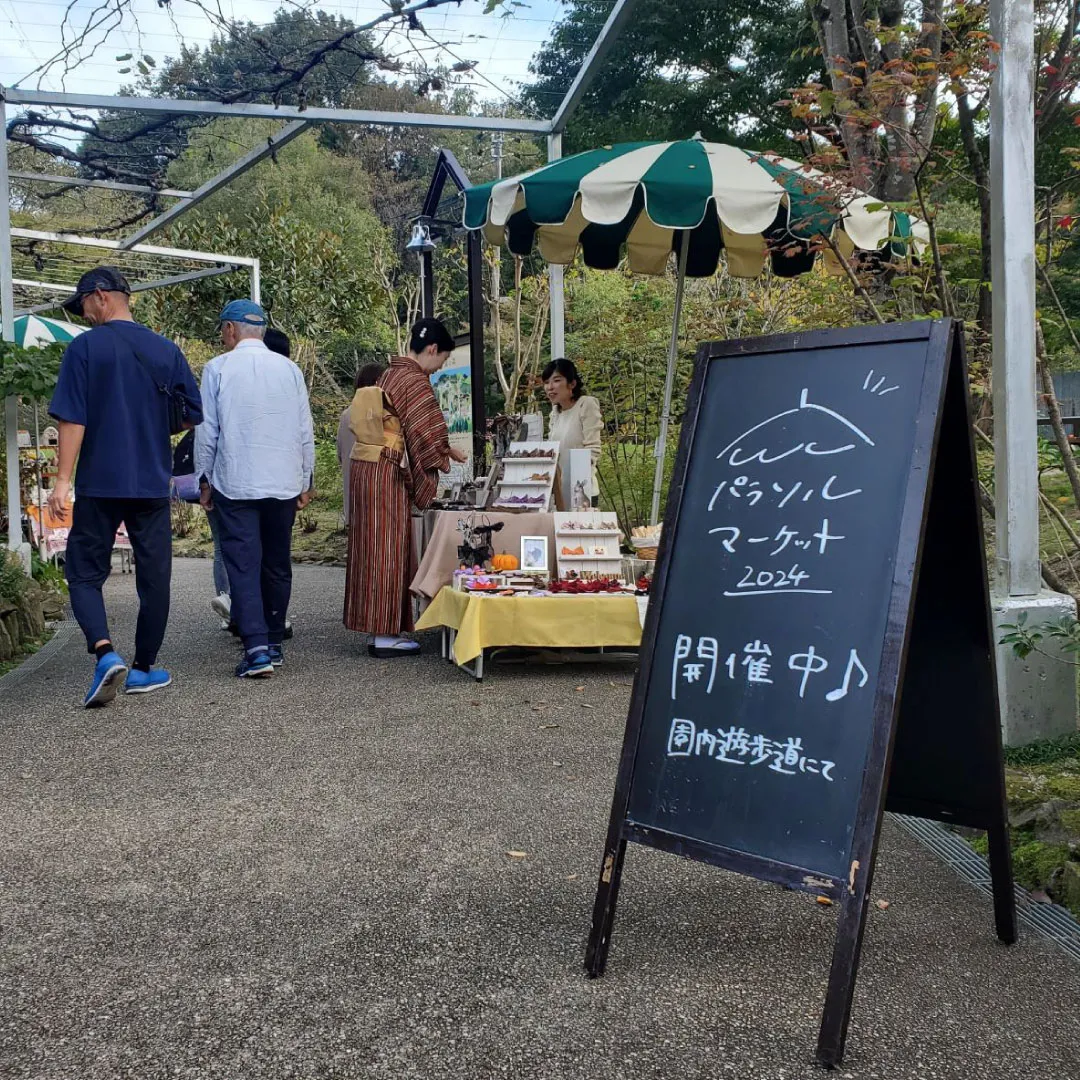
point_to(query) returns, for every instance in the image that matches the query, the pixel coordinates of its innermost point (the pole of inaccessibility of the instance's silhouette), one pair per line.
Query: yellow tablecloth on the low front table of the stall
(556, 623)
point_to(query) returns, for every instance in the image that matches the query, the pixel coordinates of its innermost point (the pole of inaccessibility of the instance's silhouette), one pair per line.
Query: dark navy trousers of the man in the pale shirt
(258, 548)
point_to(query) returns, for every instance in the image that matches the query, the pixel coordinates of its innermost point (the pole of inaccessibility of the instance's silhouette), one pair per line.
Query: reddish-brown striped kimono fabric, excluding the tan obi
(382, 558)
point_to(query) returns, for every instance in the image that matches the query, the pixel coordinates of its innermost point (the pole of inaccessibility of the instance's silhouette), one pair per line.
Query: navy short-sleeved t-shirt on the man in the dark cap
(127, 452)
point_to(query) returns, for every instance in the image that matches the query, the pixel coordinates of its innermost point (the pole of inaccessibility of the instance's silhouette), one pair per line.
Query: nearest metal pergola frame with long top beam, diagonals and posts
(300, 120)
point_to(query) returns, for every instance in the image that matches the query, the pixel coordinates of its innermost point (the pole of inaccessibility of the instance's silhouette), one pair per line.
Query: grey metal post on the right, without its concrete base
(1012, 195)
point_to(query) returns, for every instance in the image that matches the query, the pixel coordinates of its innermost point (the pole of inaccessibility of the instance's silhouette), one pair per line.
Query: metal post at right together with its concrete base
(1038, 695)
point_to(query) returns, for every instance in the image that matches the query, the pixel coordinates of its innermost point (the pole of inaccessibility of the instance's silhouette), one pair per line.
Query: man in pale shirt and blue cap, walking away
(255, 456)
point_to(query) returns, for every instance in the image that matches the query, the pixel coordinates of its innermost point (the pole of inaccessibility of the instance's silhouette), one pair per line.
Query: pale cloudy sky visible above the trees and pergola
(31, 33)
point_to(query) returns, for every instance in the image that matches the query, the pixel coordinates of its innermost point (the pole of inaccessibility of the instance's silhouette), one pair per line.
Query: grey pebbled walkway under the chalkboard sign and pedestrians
(308, 877)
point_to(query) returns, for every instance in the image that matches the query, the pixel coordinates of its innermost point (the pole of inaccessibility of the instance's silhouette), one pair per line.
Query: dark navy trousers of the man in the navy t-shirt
(89, 561)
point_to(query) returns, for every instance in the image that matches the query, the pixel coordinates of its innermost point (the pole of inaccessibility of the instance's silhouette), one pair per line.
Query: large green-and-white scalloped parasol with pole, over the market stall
(647, 199)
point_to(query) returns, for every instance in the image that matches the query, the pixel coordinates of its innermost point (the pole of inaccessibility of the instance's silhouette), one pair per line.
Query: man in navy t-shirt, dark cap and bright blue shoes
(113, 407)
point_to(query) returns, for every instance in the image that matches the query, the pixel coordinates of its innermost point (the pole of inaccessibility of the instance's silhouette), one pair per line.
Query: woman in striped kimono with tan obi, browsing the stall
(402, 445)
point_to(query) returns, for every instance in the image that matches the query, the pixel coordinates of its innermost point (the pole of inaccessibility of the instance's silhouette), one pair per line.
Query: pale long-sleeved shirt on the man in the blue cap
(256, 440)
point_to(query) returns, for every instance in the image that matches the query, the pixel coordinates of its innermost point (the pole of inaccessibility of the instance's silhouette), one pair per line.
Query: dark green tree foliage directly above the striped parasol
(719, 69)
